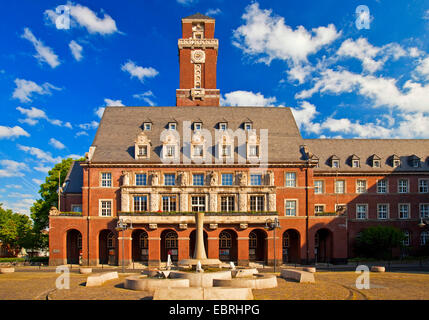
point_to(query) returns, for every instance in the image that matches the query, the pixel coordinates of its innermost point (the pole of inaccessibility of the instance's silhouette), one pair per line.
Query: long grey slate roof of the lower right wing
(324, 149)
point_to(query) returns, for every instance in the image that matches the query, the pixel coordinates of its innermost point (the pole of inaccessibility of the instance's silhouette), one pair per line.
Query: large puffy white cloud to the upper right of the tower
(270, 38)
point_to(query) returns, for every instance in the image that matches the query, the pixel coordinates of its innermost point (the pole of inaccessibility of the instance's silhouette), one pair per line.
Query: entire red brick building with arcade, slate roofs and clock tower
(245, 167)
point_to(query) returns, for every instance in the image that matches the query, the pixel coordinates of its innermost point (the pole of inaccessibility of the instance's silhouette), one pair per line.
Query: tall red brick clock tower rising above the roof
(197, 59)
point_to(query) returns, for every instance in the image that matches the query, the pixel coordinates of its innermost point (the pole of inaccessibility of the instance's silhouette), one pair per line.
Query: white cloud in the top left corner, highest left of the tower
(85, 17)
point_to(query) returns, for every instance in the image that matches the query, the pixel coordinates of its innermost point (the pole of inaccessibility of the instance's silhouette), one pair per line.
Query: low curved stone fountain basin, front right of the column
(256, 281)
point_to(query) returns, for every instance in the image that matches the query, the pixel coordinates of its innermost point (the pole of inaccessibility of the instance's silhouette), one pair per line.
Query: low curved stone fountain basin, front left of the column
(142, 283)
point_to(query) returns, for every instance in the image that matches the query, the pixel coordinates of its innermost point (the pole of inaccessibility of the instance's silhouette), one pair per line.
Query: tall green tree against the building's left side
(48, 198)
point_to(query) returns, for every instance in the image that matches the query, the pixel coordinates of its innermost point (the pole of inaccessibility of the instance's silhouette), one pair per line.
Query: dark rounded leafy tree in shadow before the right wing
(378, 242)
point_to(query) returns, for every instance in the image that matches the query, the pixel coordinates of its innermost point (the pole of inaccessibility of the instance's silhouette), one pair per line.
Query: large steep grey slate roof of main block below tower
(120, 126)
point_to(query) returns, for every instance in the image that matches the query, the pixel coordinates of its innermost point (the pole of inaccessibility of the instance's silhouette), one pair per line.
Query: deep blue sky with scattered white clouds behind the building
(341, 81)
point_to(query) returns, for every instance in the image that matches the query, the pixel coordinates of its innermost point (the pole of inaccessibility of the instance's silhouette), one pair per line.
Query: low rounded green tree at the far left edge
(15, 229)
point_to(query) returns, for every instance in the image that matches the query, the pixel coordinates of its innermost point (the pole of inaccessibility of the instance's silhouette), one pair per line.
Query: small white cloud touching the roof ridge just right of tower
(246, 98)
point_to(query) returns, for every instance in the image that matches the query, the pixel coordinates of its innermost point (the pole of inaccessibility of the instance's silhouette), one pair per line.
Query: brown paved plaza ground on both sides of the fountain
(330, 285)
